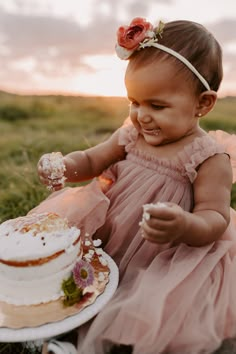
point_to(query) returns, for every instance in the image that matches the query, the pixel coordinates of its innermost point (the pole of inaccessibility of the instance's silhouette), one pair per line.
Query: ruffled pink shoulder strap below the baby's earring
(196, 153)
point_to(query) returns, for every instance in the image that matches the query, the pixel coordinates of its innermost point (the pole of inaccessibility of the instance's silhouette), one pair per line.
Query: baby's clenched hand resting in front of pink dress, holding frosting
(163, 222)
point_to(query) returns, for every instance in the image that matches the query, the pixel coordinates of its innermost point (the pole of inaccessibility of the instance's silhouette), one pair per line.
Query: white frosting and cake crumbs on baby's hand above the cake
(53, 165)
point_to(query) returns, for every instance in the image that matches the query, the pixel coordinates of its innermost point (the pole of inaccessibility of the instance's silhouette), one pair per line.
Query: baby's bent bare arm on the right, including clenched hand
(210, 215)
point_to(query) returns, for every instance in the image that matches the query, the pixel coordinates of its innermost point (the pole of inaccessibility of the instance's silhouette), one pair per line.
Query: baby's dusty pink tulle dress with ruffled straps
(170, 299)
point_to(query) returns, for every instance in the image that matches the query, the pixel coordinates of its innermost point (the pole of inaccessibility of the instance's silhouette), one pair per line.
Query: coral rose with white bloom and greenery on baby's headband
(139, 34)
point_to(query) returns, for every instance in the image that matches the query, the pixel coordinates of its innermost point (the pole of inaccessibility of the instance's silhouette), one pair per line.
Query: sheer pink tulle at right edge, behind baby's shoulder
(228, 141)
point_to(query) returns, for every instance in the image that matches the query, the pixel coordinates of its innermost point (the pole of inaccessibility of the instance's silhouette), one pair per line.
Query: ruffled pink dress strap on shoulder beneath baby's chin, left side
(127, 135)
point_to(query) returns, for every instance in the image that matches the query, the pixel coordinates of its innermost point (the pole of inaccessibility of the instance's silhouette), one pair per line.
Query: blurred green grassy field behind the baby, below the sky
(33, 125)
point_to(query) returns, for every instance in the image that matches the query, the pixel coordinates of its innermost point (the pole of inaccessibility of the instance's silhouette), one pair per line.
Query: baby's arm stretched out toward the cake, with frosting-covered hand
(84, 165)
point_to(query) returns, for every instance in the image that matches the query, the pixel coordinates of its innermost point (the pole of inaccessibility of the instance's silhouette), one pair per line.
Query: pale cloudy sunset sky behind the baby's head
(67, 46)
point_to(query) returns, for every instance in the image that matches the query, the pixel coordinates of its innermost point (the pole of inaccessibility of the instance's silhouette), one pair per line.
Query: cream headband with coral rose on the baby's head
(141, 34)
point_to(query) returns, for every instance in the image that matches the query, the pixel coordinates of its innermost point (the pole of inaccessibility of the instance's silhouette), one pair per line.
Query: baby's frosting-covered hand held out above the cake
(51, 169)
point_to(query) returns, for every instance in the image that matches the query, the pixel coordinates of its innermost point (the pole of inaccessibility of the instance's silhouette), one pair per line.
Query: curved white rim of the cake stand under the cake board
(50, 330)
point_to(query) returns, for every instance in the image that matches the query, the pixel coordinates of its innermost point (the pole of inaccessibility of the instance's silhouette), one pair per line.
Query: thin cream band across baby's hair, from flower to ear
(180, 57)
